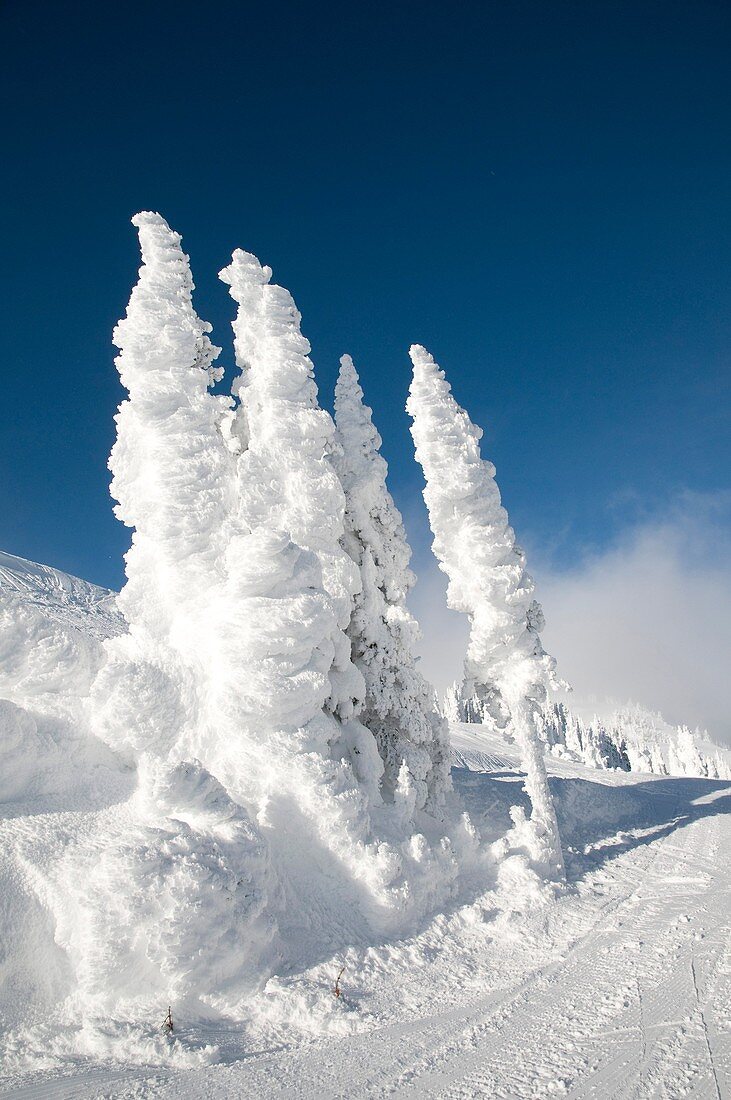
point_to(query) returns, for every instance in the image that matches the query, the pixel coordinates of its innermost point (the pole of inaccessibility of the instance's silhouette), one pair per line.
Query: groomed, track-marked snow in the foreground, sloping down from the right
(619, 988)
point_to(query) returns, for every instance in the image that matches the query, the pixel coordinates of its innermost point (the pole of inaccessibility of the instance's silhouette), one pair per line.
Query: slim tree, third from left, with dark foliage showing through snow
(400, 705)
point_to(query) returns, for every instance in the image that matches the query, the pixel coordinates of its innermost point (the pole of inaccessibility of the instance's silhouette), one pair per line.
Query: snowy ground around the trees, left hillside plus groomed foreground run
(618, 988)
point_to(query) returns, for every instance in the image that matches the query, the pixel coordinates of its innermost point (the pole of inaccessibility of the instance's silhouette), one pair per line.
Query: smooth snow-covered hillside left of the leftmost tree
(54, 776)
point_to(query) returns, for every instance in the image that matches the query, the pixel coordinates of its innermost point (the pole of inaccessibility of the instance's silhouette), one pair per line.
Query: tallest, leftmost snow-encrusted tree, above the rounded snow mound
(173, 479)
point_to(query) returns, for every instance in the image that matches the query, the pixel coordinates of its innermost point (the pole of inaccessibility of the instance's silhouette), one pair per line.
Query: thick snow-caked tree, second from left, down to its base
(312, 767)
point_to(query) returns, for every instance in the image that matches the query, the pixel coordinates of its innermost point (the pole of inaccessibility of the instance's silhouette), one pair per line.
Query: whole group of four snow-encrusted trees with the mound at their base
(293, 767)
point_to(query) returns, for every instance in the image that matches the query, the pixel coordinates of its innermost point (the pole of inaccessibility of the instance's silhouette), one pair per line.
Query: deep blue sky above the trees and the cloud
(540, 193)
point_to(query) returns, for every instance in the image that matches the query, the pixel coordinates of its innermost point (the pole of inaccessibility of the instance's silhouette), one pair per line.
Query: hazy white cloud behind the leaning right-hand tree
(648, 619)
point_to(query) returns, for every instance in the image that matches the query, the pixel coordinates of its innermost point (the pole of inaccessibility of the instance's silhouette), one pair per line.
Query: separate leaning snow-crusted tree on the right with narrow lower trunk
(475, 546)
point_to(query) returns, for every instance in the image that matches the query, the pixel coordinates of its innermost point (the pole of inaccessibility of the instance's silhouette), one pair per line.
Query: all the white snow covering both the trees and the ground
(243, 851)
